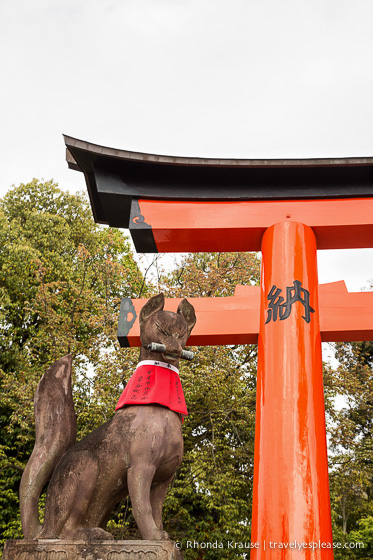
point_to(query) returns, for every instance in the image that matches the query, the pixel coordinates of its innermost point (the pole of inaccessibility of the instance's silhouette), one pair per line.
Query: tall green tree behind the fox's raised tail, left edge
(61, 280)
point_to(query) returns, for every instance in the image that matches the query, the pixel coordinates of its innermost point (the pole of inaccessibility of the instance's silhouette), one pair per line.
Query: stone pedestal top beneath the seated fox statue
(99, 550)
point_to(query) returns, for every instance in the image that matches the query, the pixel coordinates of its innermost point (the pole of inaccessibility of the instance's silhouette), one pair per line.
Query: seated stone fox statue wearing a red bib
(136, 452)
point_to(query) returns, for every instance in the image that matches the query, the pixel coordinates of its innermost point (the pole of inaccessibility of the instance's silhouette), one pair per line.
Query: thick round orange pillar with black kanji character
(291, 485)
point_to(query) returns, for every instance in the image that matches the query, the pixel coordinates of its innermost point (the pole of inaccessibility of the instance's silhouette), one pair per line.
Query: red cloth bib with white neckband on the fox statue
(154, 382)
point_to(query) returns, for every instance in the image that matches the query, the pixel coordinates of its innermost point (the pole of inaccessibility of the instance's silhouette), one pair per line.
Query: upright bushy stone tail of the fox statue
(55, 424)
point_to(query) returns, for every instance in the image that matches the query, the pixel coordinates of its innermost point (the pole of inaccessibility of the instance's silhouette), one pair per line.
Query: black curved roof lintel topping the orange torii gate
(116, 177)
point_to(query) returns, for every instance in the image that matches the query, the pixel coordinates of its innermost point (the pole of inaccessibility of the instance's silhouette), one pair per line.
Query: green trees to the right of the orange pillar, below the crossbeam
(351, 458)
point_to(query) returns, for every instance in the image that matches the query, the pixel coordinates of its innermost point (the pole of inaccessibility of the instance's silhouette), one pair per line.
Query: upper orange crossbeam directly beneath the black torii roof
(239, 226)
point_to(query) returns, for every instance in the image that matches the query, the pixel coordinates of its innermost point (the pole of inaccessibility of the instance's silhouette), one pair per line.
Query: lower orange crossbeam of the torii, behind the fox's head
(344, 316)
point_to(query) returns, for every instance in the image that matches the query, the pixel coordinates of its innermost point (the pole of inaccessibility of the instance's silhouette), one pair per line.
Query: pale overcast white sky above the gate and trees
(244, 78)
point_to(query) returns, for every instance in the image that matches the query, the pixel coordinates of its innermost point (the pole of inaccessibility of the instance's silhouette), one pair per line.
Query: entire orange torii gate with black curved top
(287, 209)
